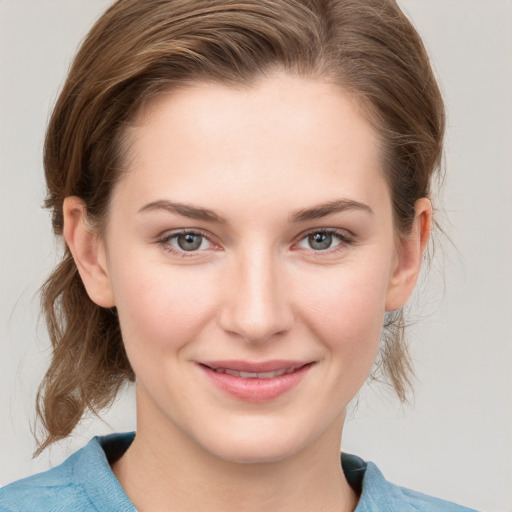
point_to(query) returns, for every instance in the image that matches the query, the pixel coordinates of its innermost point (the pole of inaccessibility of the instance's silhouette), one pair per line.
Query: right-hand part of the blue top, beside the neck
(379, 495)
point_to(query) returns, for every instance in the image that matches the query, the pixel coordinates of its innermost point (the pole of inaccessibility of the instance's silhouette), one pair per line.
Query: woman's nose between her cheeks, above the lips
(256, 305)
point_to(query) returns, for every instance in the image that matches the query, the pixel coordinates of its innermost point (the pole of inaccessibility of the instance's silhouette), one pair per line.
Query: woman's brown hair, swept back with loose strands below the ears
(139, 49)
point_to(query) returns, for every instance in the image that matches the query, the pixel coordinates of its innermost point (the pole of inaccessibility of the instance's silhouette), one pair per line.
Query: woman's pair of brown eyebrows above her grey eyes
(302, 215)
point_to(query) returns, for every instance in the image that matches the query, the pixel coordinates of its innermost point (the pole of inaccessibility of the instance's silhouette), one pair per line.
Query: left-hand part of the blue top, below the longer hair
(83, 482)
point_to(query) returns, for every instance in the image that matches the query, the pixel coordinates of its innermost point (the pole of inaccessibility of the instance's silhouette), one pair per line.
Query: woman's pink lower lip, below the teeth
(256, 390)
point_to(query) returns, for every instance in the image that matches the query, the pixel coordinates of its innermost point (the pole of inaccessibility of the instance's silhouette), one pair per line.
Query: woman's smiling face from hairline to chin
(251, 255)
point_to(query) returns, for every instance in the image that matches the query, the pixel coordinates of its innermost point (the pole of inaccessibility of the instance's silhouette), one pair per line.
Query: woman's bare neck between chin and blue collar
(165, 470)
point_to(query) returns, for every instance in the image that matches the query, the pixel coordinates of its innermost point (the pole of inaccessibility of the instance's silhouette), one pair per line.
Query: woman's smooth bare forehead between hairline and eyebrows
(283, 133)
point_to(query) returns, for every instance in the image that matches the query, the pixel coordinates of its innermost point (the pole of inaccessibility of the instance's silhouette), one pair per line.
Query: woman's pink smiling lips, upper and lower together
(255, 389)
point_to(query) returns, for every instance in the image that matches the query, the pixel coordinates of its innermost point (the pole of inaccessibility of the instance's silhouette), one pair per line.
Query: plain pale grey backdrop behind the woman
(455, 439)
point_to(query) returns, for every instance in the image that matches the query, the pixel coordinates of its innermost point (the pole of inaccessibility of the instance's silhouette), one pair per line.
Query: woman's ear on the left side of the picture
(88, 250)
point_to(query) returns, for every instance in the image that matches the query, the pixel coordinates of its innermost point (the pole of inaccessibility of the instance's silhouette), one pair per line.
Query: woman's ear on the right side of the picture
(410, 256)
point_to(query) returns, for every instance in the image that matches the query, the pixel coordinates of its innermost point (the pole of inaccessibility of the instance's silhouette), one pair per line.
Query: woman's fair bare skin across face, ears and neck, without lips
(255, 290)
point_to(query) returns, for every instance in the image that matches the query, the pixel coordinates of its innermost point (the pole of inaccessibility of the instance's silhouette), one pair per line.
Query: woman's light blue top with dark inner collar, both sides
(84, 482)
